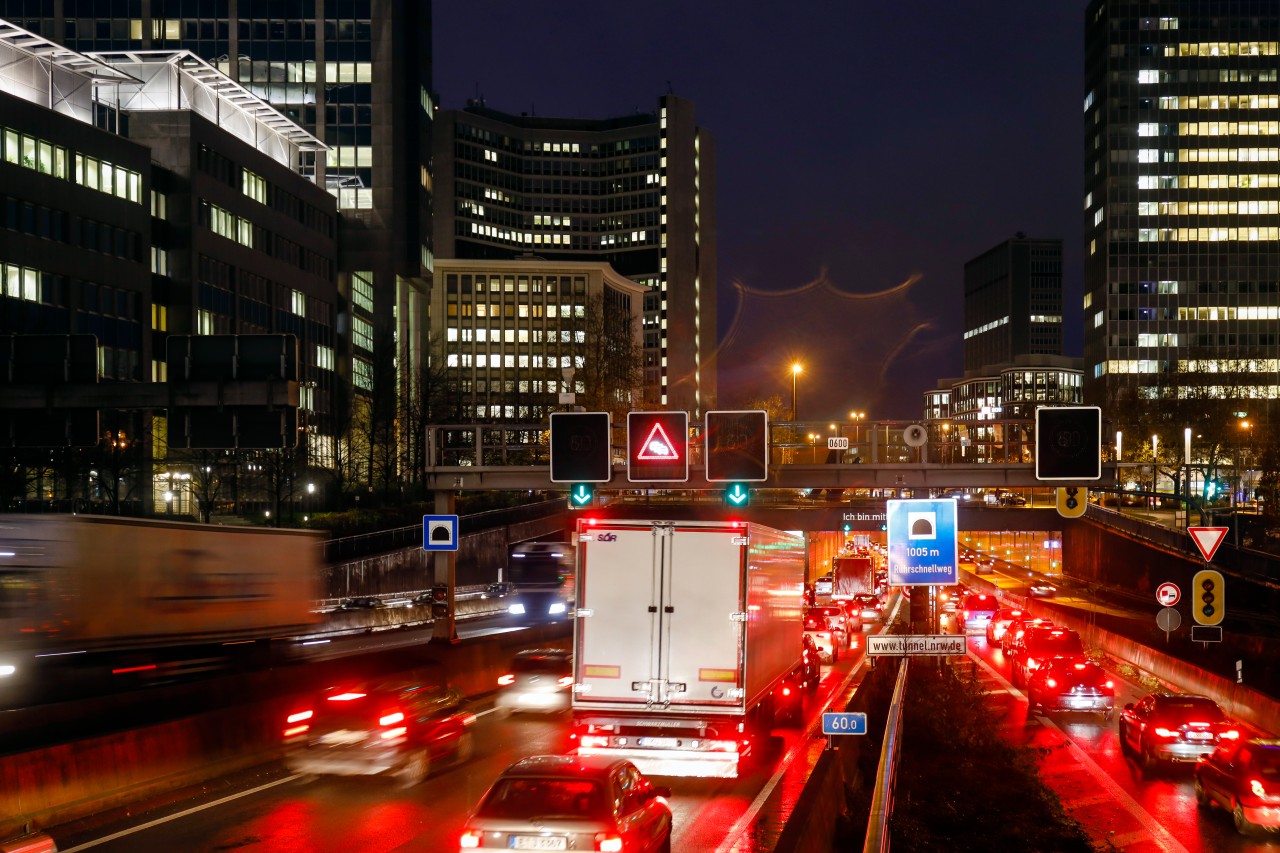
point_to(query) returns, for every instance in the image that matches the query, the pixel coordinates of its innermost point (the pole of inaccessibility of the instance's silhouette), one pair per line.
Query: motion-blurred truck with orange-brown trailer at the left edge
(113, 591)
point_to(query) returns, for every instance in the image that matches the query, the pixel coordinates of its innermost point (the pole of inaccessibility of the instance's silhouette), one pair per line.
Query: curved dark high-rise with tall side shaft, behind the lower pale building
(637, 193)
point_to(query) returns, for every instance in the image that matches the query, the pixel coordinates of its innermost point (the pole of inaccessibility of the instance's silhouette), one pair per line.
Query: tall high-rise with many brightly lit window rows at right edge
(1182, 200)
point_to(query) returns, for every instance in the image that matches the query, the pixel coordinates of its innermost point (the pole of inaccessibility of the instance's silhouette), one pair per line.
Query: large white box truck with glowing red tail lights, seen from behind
(685, 636)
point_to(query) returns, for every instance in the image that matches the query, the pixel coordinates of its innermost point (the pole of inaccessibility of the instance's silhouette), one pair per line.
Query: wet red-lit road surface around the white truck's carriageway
(272, 811)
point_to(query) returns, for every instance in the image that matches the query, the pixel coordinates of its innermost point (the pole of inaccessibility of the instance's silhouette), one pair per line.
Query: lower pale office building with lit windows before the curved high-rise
(516, 334)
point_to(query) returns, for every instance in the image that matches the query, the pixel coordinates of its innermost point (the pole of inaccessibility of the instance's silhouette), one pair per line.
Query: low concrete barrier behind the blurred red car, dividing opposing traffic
(49, 787)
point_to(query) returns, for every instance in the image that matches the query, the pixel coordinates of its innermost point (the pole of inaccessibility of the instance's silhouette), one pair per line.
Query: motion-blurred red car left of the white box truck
(400, 727)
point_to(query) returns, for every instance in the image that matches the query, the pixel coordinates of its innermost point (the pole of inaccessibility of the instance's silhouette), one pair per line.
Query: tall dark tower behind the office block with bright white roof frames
(358, 76)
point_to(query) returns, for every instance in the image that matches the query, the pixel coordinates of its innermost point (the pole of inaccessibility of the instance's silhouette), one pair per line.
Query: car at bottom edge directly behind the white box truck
(572, 804)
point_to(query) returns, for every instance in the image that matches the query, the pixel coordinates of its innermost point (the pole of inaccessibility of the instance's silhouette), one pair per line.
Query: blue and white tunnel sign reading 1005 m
(922, 542)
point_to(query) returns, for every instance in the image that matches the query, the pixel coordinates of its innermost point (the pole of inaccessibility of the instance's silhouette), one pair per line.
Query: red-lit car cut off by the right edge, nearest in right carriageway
(1242, 777)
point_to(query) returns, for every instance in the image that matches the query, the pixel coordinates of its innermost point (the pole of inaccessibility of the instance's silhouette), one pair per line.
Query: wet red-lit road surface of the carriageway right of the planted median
(1105, 791)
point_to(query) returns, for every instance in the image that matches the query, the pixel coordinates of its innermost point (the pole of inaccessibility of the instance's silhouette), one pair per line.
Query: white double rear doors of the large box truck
(664, 624)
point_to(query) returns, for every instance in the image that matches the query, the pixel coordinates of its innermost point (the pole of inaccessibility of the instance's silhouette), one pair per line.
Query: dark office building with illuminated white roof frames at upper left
(144, 194)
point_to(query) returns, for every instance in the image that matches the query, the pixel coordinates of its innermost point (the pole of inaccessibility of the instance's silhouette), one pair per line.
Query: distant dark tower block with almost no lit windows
(1013, 303)
